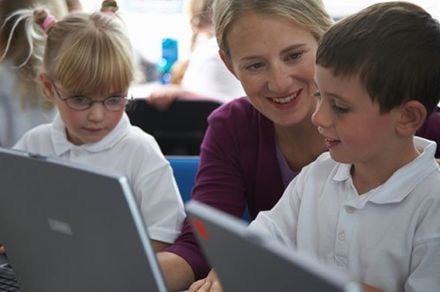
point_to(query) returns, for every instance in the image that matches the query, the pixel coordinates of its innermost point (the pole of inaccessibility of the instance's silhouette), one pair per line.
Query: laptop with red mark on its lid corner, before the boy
(246, 261)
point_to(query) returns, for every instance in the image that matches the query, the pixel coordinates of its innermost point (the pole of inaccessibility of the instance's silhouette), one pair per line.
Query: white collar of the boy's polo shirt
(404, 180)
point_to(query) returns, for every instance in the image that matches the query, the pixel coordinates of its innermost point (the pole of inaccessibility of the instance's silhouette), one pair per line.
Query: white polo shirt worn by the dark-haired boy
(388, 237)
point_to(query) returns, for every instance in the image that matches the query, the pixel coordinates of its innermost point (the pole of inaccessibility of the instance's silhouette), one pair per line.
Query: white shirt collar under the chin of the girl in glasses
(62, 144)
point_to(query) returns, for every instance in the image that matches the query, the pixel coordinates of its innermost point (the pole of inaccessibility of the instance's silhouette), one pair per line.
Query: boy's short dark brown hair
(393, 47)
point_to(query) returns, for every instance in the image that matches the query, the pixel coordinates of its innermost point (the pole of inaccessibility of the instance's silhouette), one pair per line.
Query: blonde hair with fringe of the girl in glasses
(85, 53)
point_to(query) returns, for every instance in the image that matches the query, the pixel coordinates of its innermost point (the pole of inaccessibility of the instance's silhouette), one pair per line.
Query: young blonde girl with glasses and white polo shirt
(87, 70)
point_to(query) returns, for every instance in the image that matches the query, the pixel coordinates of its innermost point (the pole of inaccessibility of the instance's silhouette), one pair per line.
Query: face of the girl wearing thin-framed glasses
(90, 125)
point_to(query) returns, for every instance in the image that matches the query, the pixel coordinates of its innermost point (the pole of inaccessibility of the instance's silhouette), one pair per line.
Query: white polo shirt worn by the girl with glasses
(129, 151)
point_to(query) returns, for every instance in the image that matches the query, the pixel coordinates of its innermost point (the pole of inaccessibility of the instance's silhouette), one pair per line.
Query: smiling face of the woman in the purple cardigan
(274, 60)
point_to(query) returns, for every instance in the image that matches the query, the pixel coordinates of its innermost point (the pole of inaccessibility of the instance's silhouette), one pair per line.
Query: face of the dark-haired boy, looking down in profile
(354, 129)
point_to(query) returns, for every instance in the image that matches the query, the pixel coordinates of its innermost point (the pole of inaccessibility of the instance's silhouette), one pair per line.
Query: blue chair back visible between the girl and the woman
(185, 170)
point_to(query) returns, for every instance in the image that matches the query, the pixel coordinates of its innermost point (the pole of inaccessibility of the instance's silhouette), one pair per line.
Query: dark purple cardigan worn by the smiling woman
(239, 167)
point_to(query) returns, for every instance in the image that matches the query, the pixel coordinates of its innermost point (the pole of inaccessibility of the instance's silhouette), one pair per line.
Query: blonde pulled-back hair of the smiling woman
(309, 14)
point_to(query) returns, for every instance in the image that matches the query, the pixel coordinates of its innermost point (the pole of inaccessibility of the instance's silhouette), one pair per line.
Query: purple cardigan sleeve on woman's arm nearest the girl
(219, 183)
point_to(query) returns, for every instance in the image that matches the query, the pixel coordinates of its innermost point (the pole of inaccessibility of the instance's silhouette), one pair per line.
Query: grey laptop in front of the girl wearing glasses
(67, 227)
